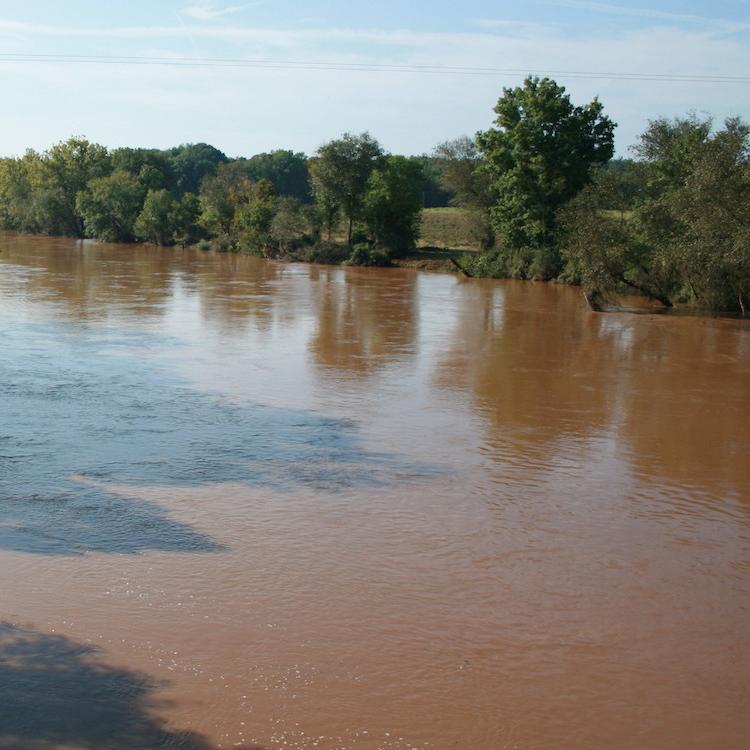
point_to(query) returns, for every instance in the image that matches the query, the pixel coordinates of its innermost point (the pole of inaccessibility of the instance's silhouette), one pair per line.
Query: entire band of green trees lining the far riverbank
(537, 196)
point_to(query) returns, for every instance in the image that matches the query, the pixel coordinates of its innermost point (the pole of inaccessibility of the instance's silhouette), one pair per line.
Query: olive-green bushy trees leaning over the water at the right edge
(687, 237)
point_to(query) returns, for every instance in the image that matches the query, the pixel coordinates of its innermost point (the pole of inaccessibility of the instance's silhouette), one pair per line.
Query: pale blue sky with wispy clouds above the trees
(247, 110)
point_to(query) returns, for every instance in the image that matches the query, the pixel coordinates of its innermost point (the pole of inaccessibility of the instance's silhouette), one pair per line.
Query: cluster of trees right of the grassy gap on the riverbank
(671, 224)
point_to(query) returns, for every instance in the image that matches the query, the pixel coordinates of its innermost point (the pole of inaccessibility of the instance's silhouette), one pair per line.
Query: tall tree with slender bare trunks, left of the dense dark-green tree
(340, 173)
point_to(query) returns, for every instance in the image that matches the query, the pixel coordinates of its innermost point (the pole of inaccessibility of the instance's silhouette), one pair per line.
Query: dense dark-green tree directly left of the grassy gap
(393, 204)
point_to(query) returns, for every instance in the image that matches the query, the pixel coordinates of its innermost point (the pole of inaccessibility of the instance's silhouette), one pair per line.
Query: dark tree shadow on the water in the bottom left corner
(56, 693)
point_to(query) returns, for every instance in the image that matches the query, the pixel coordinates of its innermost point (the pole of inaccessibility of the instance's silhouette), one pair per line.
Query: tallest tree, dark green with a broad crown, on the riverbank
(539, 156)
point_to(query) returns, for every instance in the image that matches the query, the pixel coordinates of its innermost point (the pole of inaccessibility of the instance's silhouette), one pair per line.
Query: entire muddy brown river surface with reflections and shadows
(264, 506)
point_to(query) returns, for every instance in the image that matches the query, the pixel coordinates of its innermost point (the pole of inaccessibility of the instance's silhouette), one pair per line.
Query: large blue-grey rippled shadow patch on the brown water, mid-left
(85, 402)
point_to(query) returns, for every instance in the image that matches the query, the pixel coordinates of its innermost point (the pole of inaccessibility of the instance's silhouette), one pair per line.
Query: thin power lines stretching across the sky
(225, 62)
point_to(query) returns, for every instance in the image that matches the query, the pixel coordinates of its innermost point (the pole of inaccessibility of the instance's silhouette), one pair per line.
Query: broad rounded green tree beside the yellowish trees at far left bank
(109, 207)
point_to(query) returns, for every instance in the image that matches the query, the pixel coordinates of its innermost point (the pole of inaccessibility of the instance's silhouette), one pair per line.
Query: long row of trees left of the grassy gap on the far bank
(274, 204)
